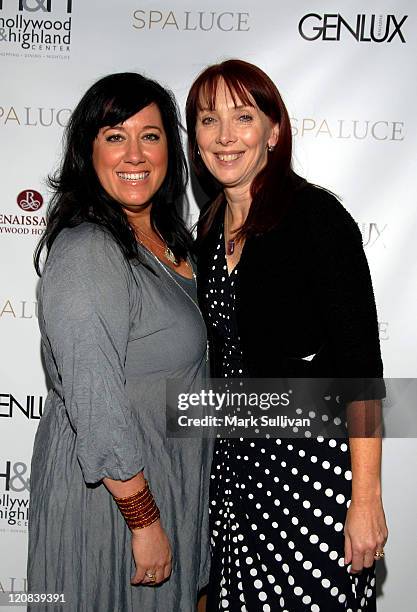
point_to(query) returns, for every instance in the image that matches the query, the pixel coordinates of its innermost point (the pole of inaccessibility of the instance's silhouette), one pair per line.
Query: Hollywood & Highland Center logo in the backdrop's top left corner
(35, 28)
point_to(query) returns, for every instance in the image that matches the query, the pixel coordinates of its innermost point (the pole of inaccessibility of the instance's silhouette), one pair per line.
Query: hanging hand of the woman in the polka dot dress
(365, 533)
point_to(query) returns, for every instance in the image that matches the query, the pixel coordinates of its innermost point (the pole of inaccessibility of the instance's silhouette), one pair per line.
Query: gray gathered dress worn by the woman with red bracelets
(111, 335)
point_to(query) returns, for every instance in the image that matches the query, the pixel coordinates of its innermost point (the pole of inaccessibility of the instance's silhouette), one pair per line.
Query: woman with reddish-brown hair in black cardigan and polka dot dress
(285, 290)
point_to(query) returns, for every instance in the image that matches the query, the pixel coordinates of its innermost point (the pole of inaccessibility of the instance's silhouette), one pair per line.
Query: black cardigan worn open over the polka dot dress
(303, 288)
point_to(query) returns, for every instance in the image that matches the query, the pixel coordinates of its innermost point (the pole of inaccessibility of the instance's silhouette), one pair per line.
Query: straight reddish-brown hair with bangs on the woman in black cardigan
(272, 188)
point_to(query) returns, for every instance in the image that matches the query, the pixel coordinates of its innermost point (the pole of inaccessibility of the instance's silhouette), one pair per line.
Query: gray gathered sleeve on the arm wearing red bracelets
(86, 302)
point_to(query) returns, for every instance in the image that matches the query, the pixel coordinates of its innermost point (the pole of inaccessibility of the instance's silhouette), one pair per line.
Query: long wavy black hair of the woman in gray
(78, 194)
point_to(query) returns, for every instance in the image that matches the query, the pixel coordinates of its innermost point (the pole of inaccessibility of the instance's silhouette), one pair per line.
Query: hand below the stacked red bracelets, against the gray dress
(152, 553)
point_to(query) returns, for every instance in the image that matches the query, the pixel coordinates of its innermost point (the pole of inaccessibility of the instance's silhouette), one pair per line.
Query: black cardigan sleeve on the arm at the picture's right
(346, 298)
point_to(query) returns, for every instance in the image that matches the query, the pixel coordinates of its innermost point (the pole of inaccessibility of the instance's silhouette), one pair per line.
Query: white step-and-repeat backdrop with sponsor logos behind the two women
(346, 71)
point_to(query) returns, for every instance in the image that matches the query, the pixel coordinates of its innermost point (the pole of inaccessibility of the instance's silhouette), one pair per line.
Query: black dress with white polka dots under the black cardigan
(277, 507)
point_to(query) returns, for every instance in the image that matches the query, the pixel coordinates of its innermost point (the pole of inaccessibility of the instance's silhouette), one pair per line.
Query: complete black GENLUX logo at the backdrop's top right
(362, 28)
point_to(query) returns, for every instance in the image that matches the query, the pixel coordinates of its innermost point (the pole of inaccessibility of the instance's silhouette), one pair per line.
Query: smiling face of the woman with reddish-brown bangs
(233, 139)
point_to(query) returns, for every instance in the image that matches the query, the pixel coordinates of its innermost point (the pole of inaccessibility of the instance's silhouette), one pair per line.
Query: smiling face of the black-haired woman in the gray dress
(131, 158)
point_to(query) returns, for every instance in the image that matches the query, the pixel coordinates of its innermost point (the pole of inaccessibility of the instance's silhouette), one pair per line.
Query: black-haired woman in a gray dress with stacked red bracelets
(118, 317)
